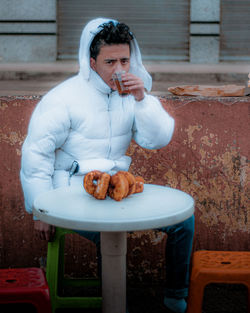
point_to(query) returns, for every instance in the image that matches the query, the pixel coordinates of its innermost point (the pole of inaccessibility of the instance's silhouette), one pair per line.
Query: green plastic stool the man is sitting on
(55, 277)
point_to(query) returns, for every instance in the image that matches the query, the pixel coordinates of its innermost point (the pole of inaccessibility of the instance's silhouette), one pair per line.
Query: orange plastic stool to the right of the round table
(228, 267)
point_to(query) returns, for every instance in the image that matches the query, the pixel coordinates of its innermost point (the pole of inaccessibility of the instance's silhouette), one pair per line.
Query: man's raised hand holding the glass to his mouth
(135, 85)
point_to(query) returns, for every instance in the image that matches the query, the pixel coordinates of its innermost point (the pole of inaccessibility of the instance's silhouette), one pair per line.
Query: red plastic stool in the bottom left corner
(25, 285)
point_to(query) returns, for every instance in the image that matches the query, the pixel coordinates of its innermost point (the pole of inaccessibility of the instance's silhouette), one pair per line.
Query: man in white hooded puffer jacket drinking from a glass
(85, 122)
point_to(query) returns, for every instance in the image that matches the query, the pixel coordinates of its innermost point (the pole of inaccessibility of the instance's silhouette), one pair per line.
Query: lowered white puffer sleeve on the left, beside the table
(48, 130)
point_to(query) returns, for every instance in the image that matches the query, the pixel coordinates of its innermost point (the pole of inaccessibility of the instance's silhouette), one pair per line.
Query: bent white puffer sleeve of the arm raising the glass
(153, 126)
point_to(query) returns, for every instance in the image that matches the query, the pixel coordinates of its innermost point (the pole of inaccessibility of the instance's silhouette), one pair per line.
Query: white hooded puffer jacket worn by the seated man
(82, 119)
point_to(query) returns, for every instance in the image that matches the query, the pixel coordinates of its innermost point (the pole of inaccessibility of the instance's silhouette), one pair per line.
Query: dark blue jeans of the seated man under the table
(178, 254)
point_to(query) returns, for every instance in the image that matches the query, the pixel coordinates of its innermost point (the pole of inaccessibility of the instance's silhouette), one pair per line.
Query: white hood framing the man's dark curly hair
(89, 32)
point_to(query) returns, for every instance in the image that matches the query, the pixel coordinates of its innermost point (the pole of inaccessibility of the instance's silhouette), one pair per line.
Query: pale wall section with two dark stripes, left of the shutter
(28, 30)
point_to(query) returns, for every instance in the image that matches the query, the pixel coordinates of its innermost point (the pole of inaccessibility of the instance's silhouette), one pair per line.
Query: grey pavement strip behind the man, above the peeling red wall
(38, 78)
